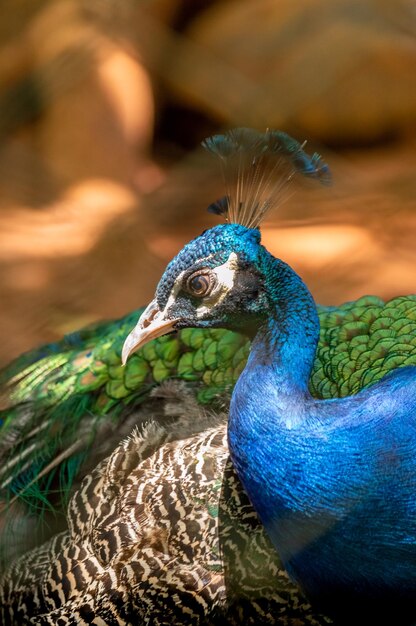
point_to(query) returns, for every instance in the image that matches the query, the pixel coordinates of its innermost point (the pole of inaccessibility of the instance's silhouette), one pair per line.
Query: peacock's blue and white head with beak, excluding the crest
(214, 281)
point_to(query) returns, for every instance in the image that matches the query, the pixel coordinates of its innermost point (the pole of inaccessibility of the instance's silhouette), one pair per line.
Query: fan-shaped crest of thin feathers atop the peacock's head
(256, 167)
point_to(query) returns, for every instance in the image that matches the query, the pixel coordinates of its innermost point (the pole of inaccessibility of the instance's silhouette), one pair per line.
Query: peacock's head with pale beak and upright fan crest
(220, 279)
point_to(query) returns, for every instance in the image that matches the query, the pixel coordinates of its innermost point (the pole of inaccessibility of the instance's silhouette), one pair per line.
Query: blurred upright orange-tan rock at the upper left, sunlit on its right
(99, 113)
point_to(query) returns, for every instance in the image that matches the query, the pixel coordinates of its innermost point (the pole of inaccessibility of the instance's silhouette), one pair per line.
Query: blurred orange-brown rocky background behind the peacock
(104, 103)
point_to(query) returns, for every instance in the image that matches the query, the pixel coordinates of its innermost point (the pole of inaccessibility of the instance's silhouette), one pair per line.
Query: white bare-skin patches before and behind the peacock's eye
(225, 281)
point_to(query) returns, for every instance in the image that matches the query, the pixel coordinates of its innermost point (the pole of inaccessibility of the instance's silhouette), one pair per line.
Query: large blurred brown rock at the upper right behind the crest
(343, 72)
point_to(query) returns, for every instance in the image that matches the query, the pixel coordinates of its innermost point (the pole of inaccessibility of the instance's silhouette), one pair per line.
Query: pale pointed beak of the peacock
(151, 324)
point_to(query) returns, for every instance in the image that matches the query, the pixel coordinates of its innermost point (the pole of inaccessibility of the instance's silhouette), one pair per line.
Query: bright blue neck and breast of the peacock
(328, 479)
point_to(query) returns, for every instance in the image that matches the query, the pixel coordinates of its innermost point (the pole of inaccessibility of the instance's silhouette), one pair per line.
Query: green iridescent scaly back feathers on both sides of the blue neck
(53, 399)
